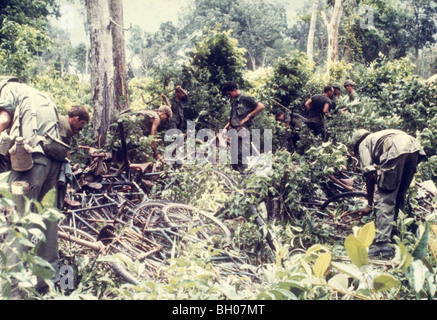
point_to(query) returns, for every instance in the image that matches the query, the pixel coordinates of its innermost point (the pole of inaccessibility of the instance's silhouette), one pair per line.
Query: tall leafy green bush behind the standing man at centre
(215, 59)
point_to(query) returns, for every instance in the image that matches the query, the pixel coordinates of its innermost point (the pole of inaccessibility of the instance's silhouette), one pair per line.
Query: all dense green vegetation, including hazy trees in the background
(306, 264)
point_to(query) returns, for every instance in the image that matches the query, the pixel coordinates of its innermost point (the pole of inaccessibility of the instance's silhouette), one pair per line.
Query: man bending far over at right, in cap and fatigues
(397, 154)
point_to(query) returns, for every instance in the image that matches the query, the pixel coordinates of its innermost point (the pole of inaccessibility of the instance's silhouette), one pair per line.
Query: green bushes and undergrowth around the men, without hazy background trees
(312, 260)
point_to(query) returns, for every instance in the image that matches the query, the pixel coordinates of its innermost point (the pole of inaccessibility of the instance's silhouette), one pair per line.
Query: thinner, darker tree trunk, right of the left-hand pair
(120, 76)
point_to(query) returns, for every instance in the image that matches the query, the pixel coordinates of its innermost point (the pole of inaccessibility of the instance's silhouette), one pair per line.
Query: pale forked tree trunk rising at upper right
(333, 27)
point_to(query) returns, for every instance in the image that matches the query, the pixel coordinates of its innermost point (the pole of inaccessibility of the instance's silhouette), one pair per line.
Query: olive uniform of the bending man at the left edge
(43, 176)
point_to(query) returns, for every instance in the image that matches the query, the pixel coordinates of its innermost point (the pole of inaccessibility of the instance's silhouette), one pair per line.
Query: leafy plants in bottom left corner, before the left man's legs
(16, 231)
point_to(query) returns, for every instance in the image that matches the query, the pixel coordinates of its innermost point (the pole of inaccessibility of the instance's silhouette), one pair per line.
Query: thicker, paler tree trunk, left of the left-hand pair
(102, 68)
